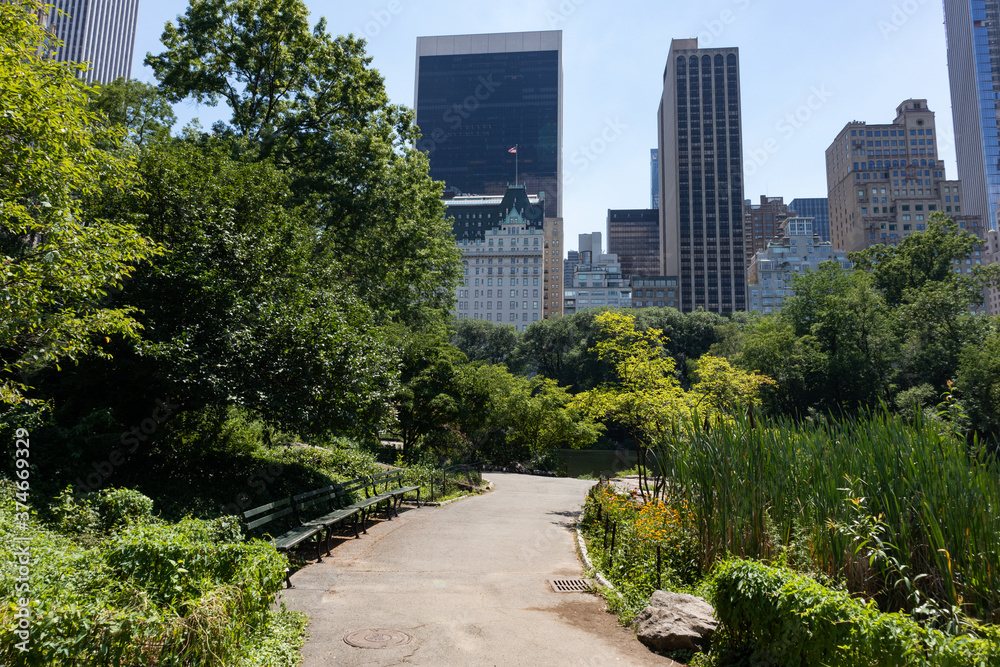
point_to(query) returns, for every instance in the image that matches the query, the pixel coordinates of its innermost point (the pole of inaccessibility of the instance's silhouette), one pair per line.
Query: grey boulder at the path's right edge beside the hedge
(676, 621)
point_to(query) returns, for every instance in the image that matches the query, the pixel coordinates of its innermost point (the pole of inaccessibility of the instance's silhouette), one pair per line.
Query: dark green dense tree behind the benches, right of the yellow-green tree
(245, 310)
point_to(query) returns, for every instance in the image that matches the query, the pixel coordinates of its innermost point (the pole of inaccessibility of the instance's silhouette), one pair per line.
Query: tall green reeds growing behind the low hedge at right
(895, 508)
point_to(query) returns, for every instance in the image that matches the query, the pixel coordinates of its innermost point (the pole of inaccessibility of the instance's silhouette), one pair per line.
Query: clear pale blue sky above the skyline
(863, 57)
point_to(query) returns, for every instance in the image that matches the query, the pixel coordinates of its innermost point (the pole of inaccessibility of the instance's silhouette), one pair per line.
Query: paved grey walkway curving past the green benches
(469, 582)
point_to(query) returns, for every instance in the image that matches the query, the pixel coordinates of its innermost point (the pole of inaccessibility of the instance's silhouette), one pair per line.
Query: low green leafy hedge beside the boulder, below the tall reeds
(783, 618)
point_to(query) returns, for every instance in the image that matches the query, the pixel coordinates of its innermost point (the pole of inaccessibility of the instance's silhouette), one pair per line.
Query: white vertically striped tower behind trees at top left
(99, 32)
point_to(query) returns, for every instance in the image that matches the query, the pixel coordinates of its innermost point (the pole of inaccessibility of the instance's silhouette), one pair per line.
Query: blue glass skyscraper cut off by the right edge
(973, 29)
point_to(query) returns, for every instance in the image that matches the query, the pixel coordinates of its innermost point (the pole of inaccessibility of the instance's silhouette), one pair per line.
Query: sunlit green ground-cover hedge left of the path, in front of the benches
(140, 592)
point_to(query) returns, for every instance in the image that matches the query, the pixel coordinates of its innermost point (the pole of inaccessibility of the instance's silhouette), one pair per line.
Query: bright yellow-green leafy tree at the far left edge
(57, 266)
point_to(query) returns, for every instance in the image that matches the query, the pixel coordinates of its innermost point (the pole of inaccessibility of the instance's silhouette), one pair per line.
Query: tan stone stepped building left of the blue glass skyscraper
(884, 181)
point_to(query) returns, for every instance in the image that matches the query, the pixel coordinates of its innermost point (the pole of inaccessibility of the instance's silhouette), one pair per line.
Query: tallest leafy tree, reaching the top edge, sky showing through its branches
(312, 104)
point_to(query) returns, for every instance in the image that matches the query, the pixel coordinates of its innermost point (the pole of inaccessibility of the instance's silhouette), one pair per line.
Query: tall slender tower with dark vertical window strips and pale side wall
(701, 177)
